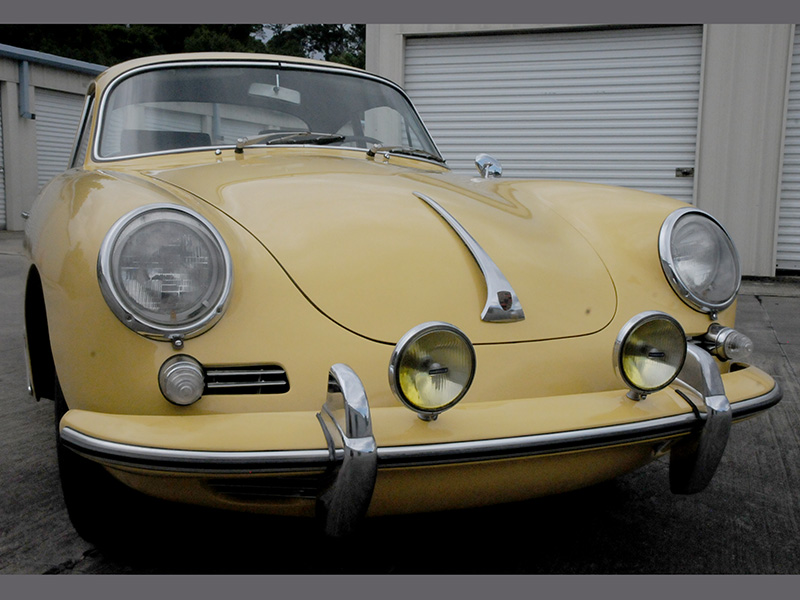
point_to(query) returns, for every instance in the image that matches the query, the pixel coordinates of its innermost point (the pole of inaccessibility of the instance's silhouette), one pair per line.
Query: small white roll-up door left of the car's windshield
(57, 118)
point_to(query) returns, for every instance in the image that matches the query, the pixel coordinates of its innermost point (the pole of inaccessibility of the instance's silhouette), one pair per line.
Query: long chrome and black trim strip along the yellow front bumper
(206, 462)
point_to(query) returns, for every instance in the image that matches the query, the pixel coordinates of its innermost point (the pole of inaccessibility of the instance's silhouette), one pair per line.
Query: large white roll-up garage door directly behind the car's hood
(615, 106)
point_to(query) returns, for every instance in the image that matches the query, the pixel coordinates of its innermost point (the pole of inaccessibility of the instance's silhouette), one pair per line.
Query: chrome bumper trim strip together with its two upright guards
(343, 475)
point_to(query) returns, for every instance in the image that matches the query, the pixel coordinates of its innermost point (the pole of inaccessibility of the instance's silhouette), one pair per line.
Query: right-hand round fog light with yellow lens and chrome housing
(649, 353)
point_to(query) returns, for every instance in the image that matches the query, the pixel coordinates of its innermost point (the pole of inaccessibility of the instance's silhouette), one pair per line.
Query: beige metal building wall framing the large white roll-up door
(743, 87)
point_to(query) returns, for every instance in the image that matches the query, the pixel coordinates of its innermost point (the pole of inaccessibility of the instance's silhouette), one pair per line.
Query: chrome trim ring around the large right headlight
(692, 297)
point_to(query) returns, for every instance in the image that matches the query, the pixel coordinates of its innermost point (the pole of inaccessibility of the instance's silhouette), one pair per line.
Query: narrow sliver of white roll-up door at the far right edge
(788, 256)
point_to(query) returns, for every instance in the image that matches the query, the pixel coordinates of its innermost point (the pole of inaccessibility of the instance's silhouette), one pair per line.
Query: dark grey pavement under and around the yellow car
(746, 522)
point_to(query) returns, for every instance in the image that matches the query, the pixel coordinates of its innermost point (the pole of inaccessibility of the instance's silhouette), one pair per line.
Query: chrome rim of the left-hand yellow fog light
(402, 347)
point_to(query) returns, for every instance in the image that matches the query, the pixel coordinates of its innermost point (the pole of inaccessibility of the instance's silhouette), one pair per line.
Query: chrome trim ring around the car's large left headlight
(122, 308)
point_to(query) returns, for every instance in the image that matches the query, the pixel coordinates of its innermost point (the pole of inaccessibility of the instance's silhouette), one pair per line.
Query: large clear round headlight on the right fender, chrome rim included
(699, 260)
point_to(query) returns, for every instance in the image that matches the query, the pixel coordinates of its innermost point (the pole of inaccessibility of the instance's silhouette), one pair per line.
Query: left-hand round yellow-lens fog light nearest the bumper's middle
(431, 368)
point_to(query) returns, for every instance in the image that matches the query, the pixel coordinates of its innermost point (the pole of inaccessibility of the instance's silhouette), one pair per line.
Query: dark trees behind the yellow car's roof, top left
(111, 44)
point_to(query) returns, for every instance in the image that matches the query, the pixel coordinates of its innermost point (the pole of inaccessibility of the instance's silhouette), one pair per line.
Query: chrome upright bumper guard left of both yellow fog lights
(347, 425)
